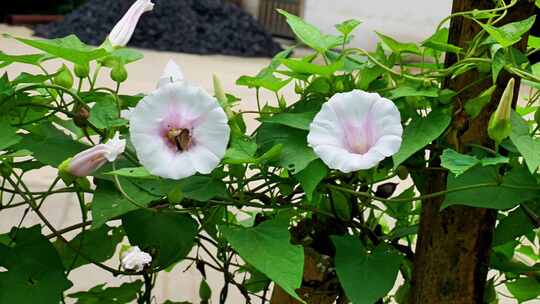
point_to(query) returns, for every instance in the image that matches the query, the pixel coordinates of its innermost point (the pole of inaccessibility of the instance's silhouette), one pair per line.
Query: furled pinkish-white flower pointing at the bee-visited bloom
(88, 161)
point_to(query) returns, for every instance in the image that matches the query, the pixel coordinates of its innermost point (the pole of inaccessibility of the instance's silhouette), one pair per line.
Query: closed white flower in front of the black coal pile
(123, 30)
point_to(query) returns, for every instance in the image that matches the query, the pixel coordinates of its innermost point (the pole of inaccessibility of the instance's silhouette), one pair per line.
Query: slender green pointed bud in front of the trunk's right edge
(499, 126)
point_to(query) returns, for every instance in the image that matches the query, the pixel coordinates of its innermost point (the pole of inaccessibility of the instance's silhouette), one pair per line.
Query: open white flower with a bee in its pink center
(179, 129)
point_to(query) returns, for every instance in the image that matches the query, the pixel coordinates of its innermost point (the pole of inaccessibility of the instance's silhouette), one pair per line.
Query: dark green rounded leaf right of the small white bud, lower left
(168, 235)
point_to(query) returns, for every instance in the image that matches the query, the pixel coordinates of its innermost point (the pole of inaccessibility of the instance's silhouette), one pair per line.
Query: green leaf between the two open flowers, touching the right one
(296, 155)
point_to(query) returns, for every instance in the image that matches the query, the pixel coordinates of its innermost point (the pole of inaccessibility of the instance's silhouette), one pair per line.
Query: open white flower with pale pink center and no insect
(355, 131)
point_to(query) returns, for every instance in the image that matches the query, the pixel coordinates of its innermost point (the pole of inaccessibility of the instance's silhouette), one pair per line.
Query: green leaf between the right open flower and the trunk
(420, 132)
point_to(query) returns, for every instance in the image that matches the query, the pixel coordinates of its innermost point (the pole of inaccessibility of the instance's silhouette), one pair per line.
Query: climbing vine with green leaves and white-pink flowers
(326, 194)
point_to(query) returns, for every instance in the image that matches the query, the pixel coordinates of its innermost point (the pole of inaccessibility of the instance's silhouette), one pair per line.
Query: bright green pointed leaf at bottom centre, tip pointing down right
(267, 247)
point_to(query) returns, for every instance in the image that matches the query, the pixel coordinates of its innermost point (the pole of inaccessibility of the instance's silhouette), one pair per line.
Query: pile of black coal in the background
(190, 26)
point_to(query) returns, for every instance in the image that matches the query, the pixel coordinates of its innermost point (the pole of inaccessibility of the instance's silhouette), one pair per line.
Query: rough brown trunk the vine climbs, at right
(453, 248)
